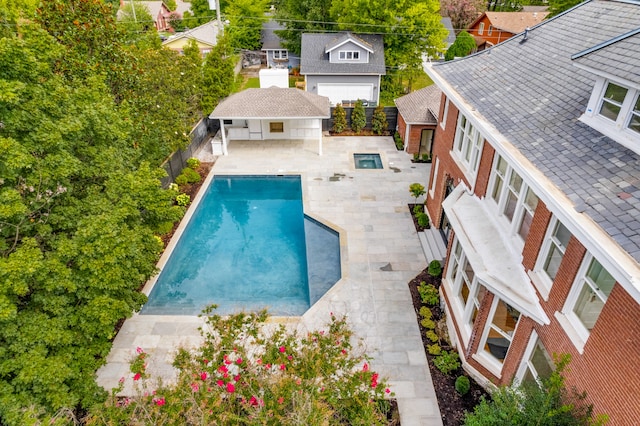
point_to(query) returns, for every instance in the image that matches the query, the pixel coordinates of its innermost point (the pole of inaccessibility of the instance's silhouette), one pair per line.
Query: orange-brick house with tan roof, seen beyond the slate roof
(492, 28)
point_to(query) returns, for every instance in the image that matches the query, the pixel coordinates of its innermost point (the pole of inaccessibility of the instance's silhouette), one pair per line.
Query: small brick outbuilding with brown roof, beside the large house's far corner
(418, 118)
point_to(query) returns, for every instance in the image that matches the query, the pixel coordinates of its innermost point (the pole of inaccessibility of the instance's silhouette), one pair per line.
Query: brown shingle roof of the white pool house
(273, 102)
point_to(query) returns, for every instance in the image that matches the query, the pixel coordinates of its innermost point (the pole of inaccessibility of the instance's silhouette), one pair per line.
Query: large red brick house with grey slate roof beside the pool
(536, 181)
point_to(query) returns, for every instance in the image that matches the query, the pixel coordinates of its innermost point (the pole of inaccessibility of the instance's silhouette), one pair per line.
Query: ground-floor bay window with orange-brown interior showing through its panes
(499, 331)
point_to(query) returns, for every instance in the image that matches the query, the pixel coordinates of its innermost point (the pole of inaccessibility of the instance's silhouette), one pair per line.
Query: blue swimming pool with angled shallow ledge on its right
(245, 248)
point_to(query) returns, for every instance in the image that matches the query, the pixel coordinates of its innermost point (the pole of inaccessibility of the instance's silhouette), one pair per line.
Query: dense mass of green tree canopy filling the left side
(87, 115)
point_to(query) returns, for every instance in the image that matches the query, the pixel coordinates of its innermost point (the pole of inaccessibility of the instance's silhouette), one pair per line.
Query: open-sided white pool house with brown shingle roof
(272, 113)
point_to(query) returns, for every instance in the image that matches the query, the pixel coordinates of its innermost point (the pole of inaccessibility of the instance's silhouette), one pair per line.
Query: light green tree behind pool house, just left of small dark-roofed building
(245, 23)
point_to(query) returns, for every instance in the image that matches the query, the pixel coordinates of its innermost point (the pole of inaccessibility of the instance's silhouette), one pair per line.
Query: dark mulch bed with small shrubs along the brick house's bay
(452, 405)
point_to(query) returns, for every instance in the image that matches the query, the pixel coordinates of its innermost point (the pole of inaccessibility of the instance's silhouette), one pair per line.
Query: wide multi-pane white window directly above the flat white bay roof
(515, 200)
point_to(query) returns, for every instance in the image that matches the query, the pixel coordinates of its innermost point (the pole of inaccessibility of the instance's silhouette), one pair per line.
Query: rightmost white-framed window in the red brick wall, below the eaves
(588, 296)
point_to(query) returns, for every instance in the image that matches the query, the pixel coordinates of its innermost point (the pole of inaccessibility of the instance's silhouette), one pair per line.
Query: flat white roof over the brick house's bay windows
(496, 264)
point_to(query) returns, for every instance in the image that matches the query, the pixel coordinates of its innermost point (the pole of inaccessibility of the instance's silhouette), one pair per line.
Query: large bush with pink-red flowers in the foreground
(249, 372)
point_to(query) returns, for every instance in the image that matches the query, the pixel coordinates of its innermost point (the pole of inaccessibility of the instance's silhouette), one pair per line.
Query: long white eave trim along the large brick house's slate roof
(624, 268)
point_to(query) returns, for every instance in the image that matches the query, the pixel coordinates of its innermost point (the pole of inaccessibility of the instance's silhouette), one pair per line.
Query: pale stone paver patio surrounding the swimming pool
(381, 252)
